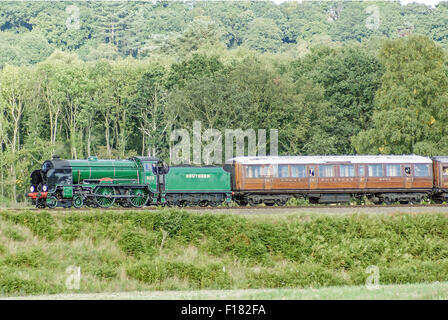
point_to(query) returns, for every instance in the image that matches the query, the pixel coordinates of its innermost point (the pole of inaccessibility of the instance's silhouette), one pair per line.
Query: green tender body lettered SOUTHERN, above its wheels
(197, 179)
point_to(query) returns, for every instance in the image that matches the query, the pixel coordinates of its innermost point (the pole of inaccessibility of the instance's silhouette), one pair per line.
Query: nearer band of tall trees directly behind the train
(344, 100)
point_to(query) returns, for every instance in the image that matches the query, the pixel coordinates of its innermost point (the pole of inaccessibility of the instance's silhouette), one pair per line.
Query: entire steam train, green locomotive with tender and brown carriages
(142, 181)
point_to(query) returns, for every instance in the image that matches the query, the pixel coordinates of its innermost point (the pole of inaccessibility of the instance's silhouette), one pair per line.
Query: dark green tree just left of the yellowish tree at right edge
(349, 77)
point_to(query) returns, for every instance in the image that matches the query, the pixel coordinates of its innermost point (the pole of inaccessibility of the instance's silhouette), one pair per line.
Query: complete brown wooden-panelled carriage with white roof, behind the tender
(328, 179)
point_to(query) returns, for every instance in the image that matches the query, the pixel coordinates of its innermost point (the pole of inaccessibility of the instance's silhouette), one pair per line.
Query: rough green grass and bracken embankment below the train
(171, 249)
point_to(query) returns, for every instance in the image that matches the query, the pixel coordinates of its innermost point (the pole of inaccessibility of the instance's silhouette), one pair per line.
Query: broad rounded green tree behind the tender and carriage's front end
(246, 94)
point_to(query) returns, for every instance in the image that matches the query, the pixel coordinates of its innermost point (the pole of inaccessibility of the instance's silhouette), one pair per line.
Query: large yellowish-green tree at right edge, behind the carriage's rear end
(410, 114)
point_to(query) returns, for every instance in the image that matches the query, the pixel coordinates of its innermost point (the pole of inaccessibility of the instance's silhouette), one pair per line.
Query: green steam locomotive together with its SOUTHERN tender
(134, 182)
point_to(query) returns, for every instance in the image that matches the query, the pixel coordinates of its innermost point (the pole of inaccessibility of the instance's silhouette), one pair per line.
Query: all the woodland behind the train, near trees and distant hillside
(117, 85)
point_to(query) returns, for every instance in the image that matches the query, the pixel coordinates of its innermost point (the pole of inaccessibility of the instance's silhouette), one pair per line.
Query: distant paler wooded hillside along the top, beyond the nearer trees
(31, 31)
